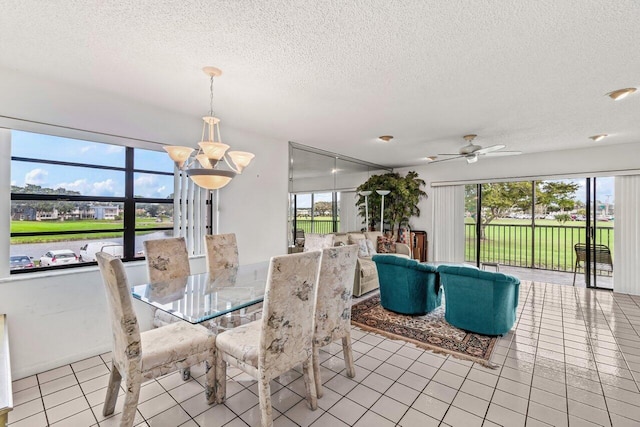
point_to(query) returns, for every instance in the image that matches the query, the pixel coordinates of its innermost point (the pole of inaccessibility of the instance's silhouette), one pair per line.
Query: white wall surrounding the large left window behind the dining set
(60, 317)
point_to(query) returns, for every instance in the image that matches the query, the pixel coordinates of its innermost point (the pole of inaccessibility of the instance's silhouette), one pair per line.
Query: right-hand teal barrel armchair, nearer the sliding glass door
(479, 301)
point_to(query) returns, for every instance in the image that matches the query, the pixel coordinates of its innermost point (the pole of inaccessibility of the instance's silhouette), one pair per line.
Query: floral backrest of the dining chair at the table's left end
(124, 324)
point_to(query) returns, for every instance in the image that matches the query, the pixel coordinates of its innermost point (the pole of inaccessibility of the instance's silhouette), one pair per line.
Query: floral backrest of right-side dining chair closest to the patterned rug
(334, 292)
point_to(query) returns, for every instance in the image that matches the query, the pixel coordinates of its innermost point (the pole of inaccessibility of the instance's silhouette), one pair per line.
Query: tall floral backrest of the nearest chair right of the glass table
(287, 316)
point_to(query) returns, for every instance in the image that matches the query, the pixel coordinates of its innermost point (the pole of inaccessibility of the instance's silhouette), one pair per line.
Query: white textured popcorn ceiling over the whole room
(335, 75)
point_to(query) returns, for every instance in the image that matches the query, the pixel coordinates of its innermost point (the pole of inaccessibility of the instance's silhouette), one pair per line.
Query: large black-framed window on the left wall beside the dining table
(71, 198)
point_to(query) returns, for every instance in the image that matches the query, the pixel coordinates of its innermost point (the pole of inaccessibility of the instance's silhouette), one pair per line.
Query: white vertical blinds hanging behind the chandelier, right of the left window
(190, 213)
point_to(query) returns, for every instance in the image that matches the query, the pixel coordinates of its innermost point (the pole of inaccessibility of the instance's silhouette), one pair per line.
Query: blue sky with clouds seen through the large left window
(89, 182)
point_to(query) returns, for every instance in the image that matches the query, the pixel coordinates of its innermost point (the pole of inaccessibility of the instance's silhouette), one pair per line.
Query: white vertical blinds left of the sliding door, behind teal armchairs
(448, 224)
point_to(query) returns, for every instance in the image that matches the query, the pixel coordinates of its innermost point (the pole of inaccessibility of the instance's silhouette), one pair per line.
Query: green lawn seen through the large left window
(79, 226)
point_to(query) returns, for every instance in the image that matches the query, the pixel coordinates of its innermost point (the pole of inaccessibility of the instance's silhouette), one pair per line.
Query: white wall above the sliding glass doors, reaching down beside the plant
(603, 160)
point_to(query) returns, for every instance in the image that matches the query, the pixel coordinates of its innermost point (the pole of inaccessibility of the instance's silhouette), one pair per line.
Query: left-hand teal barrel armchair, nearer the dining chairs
(406, 286)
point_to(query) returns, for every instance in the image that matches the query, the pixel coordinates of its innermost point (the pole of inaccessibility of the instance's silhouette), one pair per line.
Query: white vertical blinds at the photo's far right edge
(626, 252)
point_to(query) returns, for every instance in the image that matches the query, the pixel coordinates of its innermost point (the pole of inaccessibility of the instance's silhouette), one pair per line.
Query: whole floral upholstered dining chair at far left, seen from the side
(143, 356)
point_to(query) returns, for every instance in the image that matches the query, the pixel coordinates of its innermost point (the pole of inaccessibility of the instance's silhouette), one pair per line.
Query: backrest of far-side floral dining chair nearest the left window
(167, 259)
